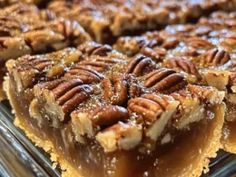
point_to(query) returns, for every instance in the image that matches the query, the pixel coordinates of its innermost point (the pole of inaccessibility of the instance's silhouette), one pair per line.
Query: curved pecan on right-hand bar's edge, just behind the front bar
(183, 64)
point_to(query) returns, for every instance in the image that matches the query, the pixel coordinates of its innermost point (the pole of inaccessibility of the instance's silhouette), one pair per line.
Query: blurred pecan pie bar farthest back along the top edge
(105, 19)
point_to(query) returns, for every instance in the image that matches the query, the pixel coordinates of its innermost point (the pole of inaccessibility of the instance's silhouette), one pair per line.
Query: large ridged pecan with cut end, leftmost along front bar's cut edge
(60, 97)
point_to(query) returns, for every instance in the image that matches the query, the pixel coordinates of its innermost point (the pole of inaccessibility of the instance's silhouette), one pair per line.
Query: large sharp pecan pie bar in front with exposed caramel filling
(101, 113)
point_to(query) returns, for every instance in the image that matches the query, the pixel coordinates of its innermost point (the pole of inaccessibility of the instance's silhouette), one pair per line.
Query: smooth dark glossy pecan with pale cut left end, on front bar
(90, 121)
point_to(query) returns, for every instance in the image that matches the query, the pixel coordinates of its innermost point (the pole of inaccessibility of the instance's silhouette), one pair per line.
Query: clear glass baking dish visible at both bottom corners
(20, 158)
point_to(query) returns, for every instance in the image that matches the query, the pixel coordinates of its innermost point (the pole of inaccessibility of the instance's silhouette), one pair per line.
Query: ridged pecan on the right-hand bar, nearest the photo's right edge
(216, 57)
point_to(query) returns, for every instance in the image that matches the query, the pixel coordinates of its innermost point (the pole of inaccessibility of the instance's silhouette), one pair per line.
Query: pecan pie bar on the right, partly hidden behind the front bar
(204, 53)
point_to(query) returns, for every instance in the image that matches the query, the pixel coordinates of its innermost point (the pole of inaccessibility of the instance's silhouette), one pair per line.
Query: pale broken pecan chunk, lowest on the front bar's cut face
(123, 136)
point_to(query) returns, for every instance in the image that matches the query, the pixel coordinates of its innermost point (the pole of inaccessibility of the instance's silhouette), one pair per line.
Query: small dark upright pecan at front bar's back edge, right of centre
(139, 65)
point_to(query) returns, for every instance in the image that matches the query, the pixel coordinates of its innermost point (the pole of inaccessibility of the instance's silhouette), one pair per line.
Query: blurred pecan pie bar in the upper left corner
(42, 32)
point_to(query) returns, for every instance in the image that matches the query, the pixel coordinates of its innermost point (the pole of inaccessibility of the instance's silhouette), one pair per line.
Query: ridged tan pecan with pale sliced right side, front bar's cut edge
(154, 111)
